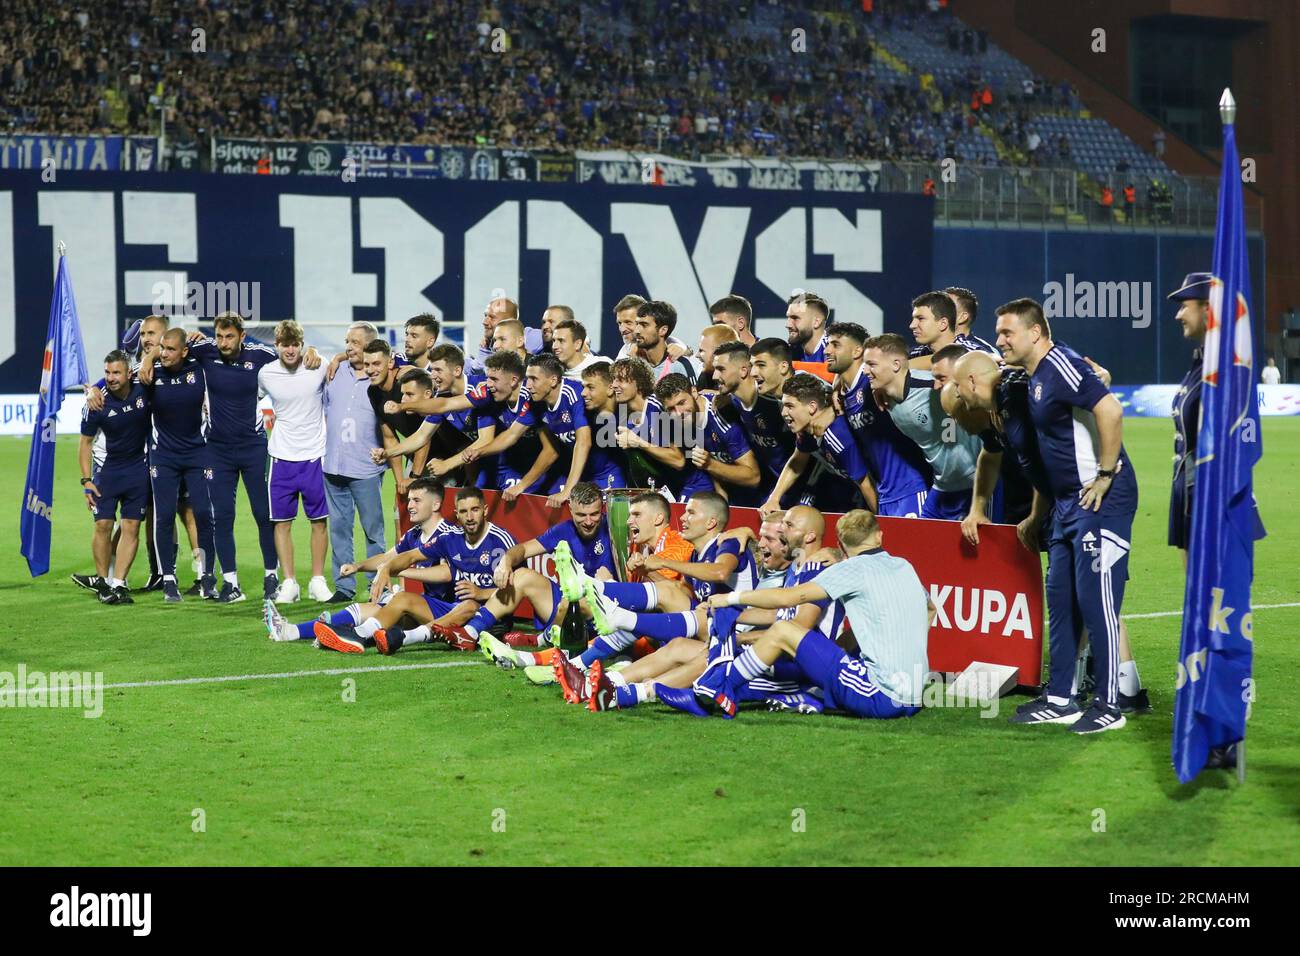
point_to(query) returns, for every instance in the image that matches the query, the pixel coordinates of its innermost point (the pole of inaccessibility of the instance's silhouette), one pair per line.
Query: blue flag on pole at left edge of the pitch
(64, 366)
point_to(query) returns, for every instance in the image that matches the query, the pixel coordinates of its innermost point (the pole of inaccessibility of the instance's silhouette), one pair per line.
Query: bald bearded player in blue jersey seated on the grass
(799, 539)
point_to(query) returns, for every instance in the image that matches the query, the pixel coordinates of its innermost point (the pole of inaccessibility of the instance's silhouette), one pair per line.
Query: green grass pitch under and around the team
(466, 764)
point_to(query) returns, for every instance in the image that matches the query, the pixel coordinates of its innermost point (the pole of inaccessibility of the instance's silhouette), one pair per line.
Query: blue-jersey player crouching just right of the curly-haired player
(720, 456)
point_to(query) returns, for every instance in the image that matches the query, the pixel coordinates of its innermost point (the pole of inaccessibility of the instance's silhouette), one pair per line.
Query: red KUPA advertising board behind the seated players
(990, 602)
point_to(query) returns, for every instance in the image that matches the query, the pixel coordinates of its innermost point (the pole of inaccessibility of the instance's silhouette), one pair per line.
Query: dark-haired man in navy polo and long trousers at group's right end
(1080, 429)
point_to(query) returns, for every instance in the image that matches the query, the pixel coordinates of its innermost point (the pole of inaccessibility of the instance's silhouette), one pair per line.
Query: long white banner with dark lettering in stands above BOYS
(625, 168)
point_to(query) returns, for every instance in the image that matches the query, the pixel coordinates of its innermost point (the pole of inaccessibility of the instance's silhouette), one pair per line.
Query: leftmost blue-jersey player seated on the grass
(423, 501)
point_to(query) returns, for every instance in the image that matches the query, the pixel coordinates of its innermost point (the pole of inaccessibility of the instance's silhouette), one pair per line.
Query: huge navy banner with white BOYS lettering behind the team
(332, 253)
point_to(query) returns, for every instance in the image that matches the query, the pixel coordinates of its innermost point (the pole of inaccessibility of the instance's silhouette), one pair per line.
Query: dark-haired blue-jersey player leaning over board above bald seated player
(826, 438)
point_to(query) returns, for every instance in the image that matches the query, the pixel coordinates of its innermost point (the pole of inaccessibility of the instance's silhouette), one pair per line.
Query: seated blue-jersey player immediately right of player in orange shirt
(716, 565)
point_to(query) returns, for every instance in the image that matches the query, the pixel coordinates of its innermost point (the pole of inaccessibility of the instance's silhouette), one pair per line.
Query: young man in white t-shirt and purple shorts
(297, 447)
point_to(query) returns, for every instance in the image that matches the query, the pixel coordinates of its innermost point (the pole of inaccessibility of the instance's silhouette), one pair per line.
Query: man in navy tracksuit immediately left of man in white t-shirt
(239, 443)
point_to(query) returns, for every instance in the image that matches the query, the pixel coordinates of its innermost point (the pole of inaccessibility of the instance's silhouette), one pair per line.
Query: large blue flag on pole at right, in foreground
(1215, 657)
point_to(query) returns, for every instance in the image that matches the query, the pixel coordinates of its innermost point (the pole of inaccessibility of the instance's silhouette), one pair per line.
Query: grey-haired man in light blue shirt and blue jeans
(353, 481)
